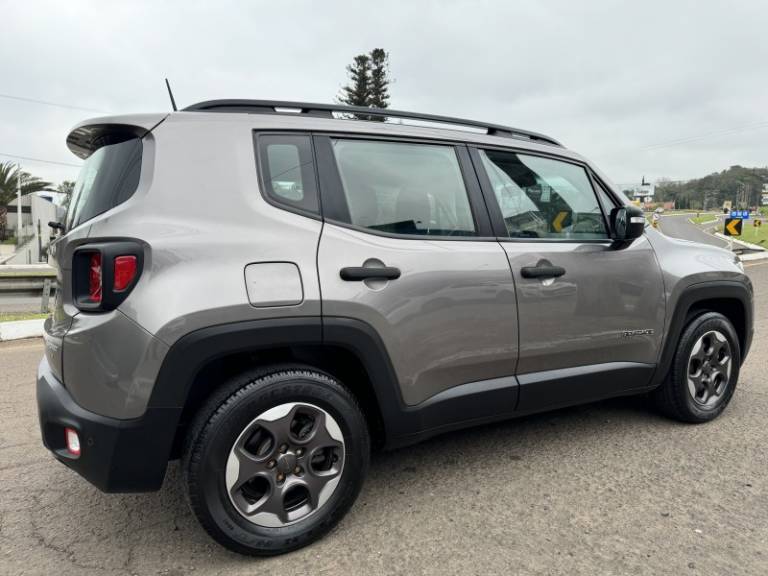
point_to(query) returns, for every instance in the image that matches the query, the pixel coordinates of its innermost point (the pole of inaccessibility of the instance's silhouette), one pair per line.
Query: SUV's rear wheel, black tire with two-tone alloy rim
(261, 420)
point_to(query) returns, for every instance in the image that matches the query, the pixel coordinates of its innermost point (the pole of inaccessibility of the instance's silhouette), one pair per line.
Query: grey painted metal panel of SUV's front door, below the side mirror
(581, 318)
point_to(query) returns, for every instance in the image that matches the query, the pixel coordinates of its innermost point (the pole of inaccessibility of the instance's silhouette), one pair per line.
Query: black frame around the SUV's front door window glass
(497, 219)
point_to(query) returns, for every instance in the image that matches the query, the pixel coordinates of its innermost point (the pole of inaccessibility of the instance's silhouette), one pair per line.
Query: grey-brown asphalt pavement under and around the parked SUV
(607, 488)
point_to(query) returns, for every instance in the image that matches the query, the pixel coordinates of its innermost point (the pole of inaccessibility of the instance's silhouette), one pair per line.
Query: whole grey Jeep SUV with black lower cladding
(267, 290)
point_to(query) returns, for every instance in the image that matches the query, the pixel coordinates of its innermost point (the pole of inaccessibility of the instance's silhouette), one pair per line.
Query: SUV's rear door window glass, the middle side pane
(404, 188)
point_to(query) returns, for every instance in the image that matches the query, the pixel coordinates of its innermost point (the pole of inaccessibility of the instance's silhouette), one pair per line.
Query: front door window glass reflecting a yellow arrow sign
(543, 198)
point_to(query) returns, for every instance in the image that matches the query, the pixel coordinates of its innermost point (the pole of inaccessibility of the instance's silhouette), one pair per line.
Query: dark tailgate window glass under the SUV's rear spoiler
(108, 178)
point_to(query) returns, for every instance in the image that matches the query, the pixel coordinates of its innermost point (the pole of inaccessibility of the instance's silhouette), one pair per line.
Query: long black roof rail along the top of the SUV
(327, 110)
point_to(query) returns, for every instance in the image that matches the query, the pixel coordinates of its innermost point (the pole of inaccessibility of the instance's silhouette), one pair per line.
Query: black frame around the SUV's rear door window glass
(336, 211)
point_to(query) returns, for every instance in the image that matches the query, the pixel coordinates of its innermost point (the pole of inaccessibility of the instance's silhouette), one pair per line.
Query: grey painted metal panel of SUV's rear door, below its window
(449, 319)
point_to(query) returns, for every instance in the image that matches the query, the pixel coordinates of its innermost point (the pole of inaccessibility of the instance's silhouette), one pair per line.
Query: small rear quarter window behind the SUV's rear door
(288, 171)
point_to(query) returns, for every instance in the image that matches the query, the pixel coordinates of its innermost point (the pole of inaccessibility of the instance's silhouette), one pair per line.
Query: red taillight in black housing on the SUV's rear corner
(104, 273)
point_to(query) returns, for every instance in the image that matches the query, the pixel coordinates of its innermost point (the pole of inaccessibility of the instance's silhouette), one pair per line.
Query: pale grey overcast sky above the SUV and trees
(654, 88)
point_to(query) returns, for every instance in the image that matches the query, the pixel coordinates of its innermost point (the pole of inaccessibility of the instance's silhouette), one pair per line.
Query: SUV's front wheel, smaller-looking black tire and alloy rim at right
(691, 395)
